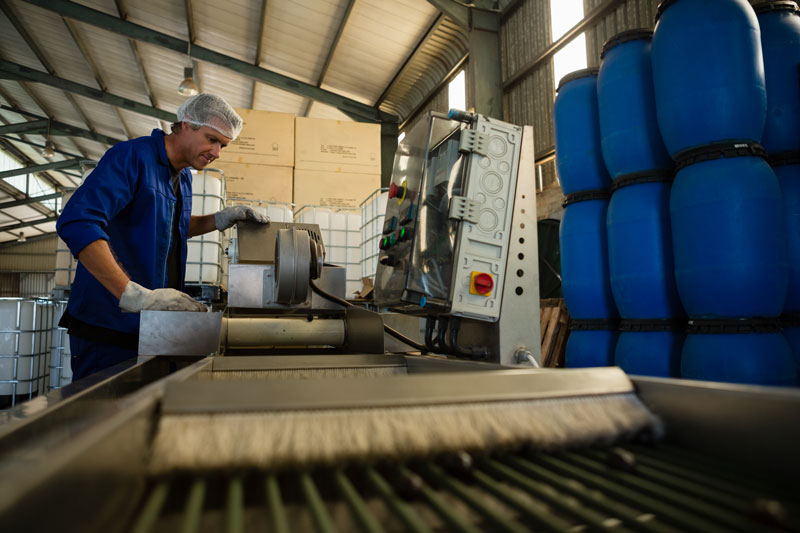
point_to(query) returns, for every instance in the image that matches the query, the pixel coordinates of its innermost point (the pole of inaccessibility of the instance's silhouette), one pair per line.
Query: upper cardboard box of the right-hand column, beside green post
(337, 146)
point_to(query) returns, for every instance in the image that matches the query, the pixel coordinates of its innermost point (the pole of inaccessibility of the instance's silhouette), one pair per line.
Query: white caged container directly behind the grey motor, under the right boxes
(341, 234)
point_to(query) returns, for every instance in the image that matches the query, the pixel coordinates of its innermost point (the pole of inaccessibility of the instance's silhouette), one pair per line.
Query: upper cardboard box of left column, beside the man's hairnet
(267, 138)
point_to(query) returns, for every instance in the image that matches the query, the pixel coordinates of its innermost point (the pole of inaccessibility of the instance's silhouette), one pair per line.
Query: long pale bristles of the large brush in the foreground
(278, 439)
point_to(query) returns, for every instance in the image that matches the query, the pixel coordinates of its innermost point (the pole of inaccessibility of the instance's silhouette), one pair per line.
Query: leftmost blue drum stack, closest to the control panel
(584, 248)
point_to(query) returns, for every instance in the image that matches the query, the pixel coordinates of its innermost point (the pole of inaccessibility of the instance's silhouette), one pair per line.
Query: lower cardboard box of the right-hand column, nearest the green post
(333, 189)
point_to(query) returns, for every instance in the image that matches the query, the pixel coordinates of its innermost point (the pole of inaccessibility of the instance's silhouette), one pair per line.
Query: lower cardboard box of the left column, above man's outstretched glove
(266, 183)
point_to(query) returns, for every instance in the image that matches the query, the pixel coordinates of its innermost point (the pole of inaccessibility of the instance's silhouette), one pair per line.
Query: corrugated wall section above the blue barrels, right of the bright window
(628, 16)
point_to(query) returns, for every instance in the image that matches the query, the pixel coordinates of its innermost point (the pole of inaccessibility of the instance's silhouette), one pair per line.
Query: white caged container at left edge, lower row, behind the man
(25, 342)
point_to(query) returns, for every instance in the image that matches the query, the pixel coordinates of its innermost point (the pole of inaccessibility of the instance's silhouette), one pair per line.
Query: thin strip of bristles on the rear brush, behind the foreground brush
(303, 373)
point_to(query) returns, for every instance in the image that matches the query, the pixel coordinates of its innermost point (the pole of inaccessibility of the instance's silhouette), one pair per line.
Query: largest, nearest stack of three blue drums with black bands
(729, 242)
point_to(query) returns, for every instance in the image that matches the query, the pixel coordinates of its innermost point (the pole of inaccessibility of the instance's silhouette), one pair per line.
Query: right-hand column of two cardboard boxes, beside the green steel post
(336, 164)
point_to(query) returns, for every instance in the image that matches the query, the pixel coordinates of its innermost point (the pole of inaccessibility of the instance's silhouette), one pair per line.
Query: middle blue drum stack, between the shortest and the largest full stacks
(652, 329)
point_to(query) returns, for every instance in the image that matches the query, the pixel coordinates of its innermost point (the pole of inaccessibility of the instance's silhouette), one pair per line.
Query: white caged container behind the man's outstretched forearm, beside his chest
(204, 255)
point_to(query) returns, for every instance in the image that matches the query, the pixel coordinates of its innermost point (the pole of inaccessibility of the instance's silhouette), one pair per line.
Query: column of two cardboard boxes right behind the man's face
(258, 165)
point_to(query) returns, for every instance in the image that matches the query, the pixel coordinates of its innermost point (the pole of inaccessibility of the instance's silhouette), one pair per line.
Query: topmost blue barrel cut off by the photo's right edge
(780, 41)
